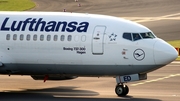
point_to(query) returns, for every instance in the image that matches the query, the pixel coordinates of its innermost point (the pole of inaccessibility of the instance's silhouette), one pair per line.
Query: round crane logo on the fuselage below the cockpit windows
(139, 54)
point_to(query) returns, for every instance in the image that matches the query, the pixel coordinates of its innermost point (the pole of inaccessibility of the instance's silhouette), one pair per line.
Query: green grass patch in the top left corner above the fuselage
(16, 5)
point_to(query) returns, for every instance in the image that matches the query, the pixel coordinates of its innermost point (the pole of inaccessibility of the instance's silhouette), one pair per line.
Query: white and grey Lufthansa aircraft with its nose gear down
(61, 46)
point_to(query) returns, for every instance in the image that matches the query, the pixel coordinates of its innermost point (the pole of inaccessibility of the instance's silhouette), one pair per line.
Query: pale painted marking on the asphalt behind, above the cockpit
(147, 19)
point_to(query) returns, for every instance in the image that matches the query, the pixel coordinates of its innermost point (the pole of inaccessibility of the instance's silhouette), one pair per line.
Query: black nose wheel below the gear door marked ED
(121, 90)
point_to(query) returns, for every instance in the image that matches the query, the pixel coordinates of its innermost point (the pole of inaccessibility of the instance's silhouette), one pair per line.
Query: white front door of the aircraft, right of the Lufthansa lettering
(97, 40)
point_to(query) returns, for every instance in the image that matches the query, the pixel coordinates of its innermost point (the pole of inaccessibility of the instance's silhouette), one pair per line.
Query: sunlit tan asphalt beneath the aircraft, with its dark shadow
(161, 85)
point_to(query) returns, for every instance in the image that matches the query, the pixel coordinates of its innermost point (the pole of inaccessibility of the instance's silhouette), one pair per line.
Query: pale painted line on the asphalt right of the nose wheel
(154, 80)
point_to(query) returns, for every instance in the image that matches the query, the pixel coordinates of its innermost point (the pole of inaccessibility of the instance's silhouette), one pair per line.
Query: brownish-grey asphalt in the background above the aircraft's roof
(161, 16)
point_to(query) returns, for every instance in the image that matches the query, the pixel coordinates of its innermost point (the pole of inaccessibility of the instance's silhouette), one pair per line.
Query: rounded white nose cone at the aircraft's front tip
(164, 53)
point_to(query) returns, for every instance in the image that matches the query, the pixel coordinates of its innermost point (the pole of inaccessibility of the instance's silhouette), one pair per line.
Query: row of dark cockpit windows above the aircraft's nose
(138, 36)
